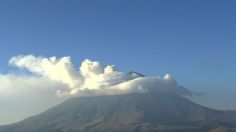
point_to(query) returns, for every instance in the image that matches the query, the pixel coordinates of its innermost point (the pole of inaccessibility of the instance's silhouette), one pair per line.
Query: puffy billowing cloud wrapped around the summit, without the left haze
(92, 78)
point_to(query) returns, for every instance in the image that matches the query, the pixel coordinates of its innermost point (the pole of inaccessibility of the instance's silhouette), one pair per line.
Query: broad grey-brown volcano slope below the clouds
(133, 112)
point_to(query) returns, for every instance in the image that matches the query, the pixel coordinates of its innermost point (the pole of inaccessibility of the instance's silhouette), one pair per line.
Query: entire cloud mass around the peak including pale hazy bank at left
(53, 80)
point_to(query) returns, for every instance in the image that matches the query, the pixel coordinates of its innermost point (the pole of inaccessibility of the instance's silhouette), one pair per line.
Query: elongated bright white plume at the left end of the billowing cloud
(56, 69)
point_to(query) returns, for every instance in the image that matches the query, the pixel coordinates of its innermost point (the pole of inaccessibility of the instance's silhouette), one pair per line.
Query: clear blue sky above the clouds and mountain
(193, 40)
